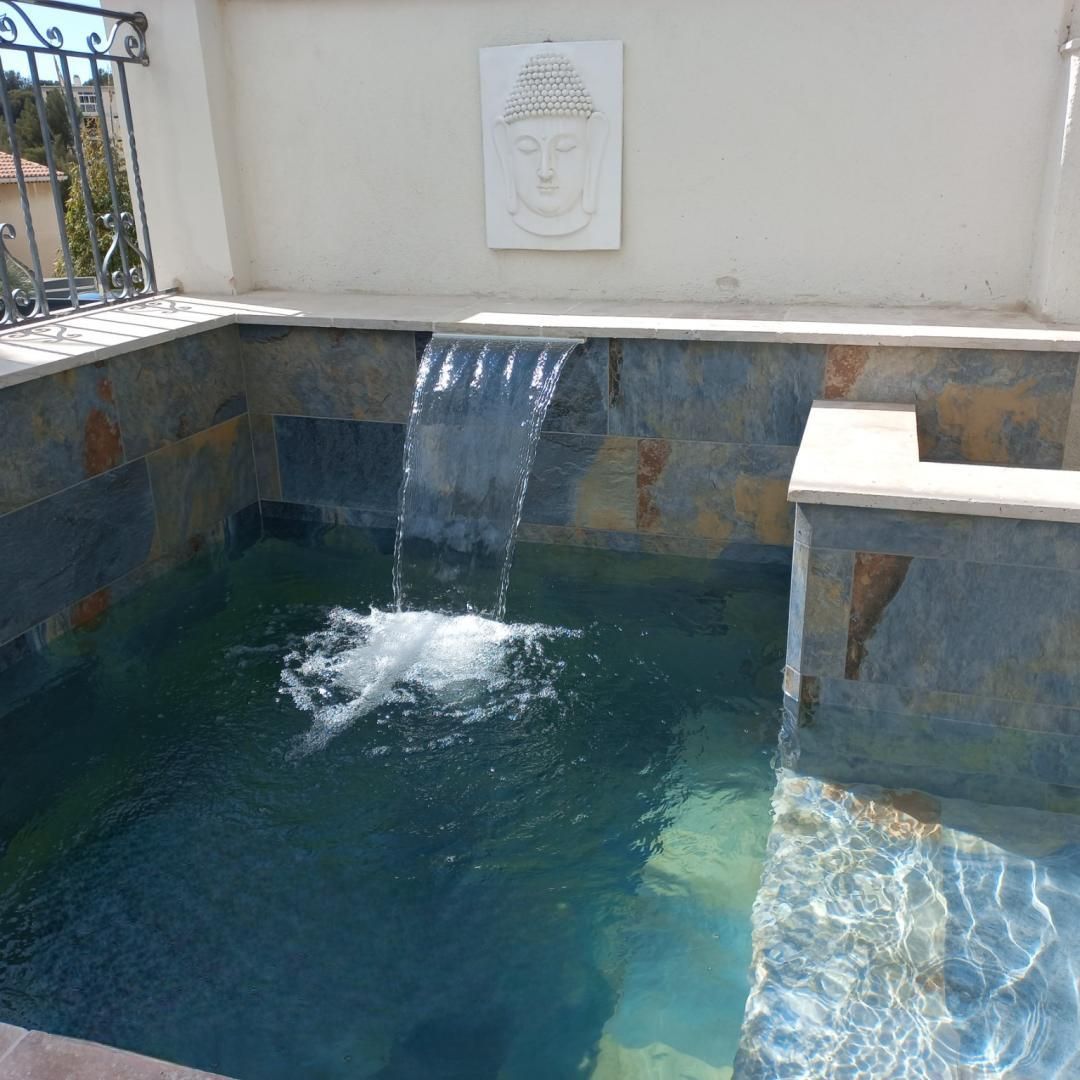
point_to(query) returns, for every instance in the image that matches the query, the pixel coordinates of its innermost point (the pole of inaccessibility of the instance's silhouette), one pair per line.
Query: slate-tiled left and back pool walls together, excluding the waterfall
(112, 472)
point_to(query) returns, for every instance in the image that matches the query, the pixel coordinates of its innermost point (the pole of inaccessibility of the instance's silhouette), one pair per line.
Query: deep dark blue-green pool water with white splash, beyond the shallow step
(254, 827)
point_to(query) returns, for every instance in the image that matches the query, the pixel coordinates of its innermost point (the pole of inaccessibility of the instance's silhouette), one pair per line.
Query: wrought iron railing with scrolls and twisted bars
(89, 245)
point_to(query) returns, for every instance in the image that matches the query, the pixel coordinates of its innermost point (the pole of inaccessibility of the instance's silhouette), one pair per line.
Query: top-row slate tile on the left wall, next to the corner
(174, 390)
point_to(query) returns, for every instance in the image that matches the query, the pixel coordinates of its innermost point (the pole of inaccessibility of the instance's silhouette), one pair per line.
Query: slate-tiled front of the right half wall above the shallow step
(937, 652)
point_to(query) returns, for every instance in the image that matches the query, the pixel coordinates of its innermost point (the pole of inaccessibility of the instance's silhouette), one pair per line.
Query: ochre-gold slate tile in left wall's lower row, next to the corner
(200, 482)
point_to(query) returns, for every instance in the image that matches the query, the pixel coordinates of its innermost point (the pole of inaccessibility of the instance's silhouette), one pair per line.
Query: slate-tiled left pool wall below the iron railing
(114, 472)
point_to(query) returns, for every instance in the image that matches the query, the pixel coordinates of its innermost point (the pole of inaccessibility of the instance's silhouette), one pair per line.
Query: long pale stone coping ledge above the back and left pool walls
(84, 339)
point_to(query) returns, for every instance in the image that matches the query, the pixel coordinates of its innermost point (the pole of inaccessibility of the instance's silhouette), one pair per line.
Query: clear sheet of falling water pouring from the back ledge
(477, 416)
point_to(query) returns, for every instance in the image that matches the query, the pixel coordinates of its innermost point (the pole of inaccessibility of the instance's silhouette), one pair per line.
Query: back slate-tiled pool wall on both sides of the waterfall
(649, 445)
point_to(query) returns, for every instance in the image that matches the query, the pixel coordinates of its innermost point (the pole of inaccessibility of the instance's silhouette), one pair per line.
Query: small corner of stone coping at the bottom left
(35, 1056)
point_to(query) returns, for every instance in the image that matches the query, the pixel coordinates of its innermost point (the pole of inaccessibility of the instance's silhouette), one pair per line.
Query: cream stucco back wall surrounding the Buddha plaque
(776, 151)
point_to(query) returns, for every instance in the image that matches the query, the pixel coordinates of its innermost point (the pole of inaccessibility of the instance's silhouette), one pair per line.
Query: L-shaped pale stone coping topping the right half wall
(861, 455)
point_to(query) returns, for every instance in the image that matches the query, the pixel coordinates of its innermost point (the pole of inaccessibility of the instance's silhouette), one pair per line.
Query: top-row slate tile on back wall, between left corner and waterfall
(322, 372)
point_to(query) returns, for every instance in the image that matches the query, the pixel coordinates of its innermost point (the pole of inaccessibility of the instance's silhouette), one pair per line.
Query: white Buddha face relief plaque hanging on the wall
(552, 117)
